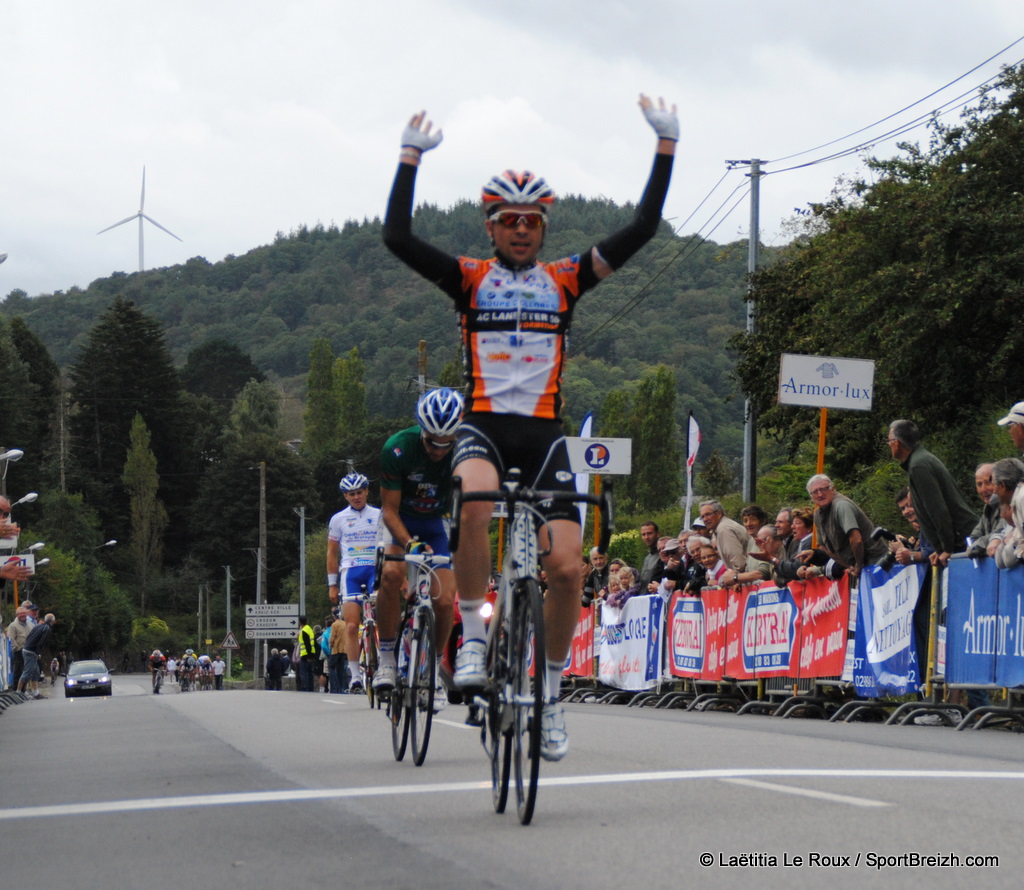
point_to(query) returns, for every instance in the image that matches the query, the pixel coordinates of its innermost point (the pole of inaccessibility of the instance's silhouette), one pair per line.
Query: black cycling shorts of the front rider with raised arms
(535, 447)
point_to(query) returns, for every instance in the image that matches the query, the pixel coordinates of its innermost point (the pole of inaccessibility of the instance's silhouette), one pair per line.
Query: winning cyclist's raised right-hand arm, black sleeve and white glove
(614, 251)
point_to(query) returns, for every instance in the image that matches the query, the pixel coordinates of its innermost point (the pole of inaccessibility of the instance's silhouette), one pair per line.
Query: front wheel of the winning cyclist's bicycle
(528, 702)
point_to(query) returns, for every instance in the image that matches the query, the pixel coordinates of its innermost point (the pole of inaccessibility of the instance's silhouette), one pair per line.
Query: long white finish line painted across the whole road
(265, 797)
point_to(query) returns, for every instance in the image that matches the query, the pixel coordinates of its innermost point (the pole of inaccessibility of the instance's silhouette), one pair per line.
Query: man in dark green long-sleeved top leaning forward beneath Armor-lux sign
(946, 519)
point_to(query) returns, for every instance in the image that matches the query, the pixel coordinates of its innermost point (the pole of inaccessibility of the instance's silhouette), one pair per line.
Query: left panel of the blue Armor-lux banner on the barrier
(973, 621)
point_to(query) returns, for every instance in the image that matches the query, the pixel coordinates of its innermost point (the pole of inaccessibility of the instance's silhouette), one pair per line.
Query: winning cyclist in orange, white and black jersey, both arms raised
(516, 314)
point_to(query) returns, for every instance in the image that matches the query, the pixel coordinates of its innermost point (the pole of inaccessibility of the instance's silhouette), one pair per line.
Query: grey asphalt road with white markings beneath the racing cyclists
(285, 790)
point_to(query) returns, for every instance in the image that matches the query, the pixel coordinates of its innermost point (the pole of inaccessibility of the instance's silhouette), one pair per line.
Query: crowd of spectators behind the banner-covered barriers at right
(833, 536)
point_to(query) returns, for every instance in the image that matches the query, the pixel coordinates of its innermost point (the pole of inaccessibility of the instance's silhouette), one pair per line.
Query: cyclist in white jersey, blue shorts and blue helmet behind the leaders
(352, 549)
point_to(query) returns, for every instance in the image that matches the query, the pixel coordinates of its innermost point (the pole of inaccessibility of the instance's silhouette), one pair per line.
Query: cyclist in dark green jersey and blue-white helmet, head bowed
(416, 496)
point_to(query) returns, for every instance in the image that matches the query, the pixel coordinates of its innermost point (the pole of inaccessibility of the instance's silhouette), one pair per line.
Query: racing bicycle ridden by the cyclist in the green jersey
(411, 703)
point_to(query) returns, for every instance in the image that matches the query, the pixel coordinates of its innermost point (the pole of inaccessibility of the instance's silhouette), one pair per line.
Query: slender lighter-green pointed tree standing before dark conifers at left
(149, 518)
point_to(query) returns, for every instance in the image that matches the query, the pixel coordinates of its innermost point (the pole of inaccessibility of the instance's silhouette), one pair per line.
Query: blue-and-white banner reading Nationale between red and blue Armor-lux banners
(885, 656)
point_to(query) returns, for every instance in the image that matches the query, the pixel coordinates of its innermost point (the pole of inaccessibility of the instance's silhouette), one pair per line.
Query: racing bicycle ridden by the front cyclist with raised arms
(509, 709)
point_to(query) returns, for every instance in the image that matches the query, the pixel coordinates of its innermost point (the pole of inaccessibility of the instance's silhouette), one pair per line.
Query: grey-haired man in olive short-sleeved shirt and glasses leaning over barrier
(844, 535)
